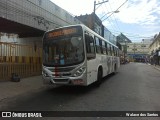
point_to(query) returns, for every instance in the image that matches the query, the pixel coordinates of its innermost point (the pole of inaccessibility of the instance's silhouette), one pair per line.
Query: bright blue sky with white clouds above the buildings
(137, 19)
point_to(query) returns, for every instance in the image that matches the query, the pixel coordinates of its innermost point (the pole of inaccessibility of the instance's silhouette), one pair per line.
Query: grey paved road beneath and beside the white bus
(136, 87)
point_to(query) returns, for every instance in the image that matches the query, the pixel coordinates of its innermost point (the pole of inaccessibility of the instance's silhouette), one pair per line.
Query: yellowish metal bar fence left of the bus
(24, 60)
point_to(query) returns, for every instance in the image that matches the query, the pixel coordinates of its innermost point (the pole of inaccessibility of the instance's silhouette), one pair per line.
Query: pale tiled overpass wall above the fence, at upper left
(40, 14)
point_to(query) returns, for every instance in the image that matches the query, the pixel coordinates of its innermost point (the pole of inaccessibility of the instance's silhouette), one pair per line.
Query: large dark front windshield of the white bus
(63, 51)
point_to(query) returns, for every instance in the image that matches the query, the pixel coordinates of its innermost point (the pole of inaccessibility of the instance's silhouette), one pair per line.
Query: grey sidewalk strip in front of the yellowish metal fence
(9, 89)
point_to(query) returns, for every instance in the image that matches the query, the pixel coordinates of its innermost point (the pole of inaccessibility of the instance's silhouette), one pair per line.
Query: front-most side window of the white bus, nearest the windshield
(90, 46)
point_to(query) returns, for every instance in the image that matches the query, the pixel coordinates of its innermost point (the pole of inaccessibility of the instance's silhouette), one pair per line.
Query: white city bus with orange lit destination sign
(76, 55)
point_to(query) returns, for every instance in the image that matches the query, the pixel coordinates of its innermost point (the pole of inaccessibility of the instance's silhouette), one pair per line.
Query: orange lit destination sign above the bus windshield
(62, 32)
